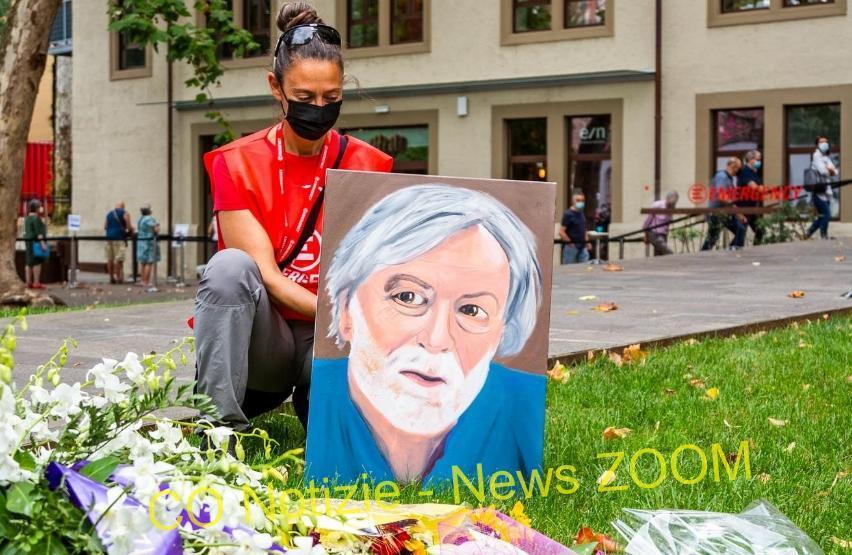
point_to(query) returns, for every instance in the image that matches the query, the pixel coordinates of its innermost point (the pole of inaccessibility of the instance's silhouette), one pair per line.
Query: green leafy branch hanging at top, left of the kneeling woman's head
(171, 24)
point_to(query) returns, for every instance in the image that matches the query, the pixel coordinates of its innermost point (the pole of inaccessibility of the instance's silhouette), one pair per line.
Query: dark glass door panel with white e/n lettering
(590, 160)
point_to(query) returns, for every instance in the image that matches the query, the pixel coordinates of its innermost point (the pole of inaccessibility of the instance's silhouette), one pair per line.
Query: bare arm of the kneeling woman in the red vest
(240, 230)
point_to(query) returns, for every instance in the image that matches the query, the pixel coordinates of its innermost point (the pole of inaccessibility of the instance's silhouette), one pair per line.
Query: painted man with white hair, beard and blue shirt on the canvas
(426, 290)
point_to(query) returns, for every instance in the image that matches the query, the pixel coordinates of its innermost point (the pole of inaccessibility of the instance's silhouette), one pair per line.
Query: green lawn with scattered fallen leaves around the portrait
(798, 374)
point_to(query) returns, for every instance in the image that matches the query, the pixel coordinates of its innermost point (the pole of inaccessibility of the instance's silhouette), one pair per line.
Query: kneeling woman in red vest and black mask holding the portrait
(256, 301)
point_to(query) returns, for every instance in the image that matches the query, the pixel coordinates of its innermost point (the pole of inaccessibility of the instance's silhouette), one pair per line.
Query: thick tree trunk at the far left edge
(23, 53)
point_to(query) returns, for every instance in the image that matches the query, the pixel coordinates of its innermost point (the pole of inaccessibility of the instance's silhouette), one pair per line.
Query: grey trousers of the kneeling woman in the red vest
(249, 358)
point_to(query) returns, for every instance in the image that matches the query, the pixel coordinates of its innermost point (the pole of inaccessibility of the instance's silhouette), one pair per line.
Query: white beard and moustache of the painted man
(417, 392)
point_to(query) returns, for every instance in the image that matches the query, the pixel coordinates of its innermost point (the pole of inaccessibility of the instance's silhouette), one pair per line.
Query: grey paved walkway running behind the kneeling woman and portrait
(657, 299)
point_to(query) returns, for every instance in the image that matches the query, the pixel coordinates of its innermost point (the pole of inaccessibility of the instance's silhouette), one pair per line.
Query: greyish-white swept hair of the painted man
(410, 222)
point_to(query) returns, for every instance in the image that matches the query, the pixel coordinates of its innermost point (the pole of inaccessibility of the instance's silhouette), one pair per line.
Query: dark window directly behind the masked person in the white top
(802, 126)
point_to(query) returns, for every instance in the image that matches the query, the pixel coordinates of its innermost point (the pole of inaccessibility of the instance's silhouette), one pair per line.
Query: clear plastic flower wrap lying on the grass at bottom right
(760, 529)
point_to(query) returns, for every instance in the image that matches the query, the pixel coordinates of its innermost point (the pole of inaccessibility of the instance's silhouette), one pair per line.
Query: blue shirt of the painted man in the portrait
(503, 429)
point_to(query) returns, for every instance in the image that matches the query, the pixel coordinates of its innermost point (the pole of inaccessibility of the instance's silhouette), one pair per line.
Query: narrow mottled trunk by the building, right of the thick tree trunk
(62, 140)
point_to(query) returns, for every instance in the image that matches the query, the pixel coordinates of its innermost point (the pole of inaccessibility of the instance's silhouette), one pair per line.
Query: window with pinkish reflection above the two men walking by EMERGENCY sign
(736, 132)
